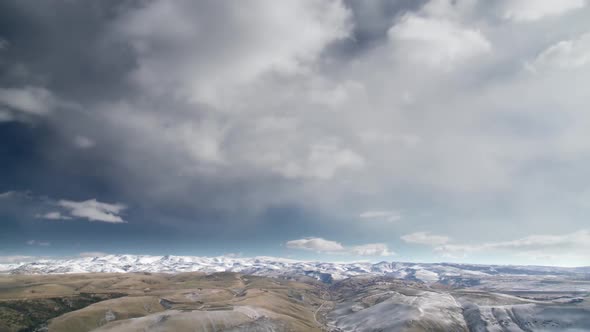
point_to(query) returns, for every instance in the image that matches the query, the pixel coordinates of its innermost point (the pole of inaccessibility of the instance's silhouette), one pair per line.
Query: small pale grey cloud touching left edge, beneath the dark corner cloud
(29, 99)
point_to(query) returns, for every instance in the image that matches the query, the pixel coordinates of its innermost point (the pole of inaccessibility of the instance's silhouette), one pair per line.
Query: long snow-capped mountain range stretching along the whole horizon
(272, 266)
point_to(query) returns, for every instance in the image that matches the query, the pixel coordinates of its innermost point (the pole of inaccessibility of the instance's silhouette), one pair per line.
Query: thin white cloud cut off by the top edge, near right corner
(533, 10)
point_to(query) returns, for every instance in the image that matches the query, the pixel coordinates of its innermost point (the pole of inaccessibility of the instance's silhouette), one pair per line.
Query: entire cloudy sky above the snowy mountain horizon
(396, 130)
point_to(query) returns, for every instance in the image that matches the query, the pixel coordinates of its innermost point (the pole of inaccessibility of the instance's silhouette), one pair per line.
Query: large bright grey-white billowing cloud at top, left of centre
(202, 39)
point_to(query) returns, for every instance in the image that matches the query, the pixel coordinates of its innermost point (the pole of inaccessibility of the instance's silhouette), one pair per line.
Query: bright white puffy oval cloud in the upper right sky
(437, 42)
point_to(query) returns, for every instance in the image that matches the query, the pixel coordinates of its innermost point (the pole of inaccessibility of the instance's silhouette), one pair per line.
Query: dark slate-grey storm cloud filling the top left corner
(61, 45)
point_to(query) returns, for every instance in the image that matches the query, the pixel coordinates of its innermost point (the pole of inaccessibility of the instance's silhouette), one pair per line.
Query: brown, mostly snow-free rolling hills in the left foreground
(157, 302)
